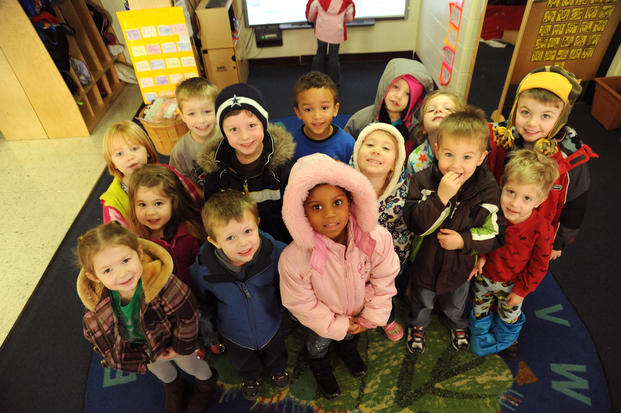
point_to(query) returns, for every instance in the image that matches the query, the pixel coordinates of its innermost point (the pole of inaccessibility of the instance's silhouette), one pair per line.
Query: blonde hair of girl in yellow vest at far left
(129, 132)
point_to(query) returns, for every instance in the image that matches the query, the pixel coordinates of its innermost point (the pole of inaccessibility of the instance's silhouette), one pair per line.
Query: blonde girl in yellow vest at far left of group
(125, 146)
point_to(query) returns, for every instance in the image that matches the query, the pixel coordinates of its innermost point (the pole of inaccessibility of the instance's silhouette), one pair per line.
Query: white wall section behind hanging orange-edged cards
(432, 29)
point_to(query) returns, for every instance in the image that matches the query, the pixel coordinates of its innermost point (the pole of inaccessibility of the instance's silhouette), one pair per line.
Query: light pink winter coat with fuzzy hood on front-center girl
(322, 283)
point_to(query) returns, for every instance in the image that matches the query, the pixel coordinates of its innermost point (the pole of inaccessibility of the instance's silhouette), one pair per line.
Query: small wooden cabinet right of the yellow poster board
(219, 26)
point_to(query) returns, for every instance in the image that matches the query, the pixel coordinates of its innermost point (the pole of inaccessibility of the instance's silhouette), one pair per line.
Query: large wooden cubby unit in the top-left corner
(47, 109)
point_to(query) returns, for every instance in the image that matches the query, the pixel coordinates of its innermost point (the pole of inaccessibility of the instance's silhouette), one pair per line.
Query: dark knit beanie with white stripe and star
(240, 96)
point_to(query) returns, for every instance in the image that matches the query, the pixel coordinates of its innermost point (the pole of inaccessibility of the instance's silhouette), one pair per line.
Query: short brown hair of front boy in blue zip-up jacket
(225, 206)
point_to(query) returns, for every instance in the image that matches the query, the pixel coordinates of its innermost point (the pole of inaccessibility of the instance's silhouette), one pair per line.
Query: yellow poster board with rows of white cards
(160, 49)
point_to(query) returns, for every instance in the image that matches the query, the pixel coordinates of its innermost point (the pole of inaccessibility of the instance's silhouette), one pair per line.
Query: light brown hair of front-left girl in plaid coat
(103, 236)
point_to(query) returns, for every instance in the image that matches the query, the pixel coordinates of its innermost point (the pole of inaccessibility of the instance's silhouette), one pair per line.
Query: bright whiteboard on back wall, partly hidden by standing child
(262, 12)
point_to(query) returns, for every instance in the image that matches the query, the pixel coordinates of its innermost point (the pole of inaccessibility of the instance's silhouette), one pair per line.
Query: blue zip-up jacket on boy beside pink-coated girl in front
(249, 311)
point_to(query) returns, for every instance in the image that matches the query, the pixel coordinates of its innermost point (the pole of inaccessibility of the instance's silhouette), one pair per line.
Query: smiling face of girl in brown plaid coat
(118, 268)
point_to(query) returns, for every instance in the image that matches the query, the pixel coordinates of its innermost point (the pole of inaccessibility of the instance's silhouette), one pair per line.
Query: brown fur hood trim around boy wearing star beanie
(278, 149)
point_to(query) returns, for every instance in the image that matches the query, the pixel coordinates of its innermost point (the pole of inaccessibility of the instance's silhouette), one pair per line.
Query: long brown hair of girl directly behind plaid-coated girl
(183, 207)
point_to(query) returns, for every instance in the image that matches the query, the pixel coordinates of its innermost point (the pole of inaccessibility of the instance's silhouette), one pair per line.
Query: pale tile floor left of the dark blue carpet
(44, 185)
